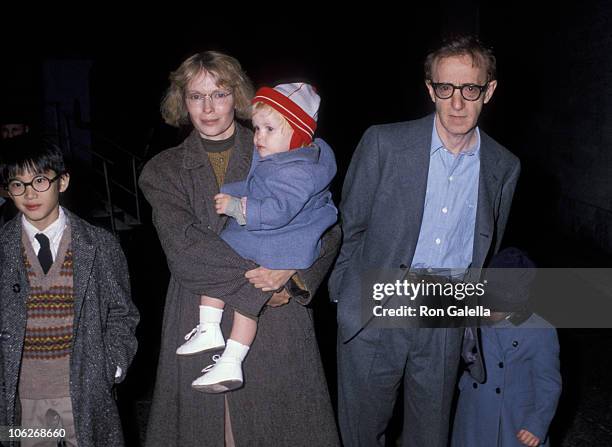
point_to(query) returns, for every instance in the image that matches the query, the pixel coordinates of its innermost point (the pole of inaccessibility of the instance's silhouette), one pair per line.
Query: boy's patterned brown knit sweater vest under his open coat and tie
(45, 367)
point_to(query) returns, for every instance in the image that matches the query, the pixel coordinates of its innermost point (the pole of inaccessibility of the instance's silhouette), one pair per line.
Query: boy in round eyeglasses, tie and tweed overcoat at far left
(67, 323)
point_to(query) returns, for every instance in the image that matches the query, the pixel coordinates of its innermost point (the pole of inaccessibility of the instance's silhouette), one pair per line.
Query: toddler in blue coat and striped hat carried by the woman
(279, 215)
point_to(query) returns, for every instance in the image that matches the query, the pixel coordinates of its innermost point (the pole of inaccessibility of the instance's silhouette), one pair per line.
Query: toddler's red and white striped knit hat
(299, 104)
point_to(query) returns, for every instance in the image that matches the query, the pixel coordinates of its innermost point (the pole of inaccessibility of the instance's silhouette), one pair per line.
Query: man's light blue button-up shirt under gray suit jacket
(446, 239)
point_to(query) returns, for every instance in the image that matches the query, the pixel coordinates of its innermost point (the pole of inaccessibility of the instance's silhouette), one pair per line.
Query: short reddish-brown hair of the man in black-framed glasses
(465, 45)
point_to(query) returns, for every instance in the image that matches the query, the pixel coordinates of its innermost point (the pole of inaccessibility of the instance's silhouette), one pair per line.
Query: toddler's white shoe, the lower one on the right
(224, 375)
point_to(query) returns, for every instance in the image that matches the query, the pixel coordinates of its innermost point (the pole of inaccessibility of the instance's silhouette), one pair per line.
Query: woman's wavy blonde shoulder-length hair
(228, 74)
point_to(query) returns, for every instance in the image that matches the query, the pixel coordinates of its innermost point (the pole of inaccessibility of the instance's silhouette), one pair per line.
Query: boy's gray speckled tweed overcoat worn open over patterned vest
(104, 323)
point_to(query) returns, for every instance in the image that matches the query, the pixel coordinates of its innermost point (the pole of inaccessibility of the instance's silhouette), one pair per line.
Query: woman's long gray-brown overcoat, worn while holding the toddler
(285, 400)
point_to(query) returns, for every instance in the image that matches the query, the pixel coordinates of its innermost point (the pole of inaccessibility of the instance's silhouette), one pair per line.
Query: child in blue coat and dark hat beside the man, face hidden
(516, 403)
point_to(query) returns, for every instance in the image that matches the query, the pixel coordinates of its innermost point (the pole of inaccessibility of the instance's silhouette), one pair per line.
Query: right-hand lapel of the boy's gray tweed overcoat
(84, 252)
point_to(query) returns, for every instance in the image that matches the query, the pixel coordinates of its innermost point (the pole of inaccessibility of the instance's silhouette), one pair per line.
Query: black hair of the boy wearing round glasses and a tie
(30, 152)
